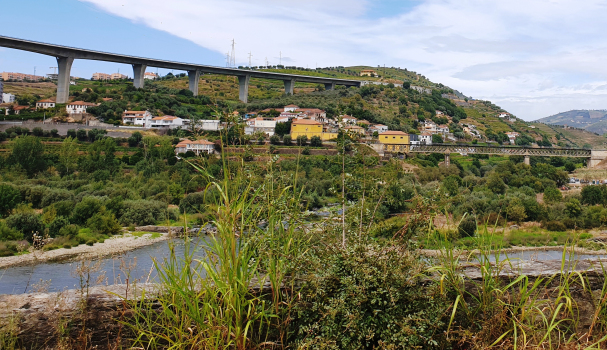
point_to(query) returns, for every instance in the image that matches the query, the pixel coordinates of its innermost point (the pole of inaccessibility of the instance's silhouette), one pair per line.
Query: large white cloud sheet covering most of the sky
(533, 57)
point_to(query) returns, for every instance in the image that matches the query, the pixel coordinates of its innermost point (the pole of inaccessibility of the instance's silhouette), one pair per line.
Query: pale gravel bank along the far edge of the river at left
(114, 245)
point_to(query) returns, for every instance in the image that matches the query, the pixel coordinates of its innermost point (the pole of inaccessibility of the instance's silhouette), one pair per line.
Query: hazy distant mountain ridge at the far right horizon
(590, 120)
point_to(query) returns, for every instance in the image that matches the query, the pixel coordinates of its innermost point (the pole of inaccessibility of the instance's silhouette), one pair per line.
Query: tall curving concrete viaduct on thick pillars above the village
(66, 55)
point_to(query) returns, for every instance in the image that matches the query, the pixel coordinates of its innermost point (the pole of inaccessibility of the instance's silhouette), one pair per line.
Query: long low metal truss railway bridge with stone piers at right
(593, 157)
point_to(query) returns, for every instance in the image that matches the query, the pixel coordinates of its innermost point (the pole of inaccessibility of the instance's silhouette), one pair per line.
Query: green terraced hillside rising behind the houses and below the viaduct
(398, 108)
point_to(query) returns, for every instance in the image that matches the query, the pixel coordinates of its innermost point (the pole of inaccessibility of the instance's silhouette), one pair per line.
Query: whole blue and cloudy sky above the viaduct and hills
(534, 58)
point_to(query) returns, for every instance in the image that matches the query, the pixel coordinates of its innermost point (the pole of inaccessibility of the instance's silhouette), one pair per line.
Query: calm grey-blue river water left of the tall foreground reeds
(136, 265)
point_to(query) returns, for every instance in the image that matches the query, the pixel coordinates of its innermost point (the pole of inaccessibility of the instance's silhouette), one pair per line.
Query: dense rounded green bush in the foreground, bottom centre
(364, 297)
